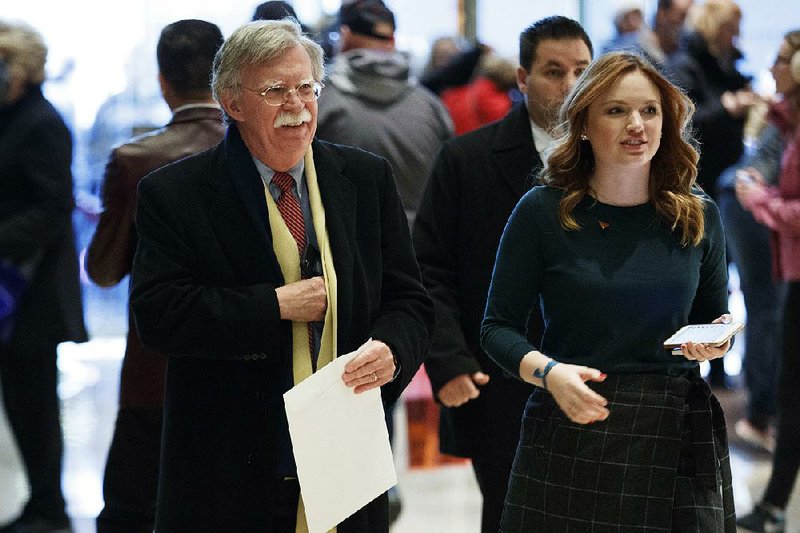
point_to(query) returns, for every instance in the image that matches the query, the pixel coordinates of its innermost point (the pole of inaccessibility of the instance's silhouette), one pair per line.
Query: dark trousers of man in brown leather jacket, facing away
(130, 482)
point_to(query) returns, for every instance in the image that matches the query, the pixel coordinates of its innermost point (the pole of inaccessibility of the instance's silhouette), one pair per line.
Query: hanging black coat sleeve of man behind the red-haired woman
(435, 241)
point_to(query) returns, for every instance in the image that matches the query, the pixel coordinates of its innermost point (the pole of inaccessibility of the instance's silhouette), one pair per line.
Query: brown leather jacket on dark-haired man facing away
(110, 254)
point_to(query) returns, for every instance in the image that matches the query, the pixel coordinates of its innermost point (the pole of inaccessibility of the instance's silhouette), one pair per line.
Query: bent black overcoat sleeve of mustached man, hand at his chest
(177, 311)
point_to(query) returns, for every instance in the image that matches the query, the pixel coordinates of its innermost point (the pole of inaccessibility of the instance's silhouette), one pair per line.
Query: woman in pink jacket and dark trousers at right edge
(778, 208)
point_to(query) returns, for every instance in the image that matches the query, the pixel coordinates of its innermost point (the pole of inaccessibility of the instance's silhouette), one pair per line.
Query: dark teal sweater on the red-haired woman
(609, 297)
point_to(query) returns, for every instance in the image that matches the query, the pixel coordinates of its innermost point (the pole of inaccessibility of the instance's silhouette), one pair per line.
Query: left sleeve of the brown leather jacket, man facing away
(111, 251)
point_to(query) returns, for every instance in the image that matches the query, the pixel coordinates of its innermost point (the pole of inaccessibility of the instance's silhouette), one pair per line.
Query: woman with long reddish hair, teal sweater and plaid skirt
(619, 250)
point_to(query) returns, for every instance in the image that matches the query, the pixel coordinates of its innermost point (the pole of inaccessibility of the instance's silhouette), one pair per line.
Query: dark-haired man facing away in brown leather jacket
(185, 53)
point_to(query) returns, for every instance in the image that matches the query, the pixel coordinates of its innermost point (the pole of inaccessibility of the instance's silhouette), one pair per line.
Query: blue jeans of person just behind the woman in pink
(748, 243)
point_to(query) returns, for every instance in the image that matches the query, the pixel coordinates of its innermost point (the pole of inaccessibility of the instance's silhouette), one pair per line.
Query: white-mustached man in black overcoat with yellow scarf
(258, 262)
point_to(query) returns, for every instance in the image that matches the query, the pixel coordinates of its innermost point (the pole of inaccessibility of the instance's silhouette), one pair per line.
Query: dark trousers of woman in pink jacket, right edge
(786, 461)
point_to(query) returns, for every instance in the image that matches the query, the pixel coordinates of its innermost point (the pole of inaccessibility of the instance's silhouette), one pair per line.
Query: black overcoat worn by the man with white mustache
(203, 291)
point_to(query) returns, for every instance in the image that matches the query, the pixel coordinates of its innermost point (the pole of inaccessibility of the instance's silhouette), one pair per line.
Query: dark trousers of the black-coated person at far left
(29, 379)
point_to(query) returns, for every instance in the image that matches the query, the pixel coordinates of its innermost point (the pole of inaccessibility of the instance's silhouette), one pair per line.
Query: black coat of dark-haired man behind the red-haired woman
(476, 182)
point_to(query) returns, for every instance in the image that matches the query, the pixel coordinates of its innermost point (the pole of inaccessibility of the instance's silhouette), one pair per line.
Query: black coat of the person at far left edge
(36, 221)
